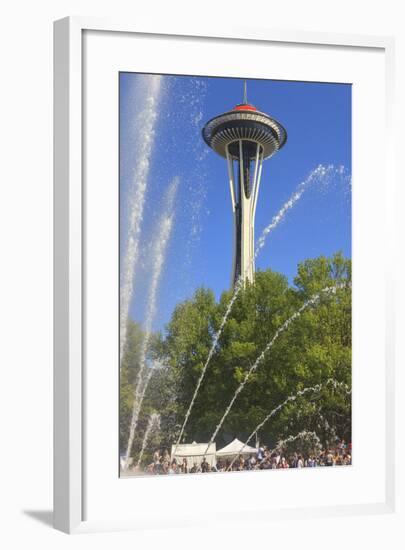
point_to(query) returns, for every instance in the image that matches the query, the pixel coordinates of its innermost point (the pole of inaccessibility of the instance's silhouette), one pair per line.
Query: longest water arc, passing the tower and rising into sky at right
(320, 174)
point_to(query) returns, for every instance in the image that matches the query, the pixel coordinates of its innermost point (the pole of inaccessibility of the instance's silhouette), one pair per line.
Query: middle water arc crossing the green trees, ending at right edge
(310, 302)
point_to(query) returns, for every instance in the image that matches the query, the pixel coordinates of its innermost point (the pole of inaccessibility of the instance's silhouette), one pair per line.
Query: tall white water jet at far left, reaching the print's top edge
(145, 123)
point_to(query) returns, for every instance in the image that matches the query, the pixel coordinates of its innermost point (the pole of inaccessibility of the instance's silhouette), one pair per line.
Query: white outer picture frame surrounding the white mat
(69, 208)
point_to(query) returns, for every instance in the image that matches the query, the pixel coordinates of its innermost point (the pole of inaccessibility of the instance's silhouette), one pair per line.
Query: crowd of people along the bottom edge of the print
(264, 459)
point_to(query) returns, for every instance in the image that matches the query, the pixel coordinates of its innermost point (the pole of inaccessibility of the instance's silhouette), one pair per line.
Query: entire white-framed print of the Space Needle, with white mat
(219, 201)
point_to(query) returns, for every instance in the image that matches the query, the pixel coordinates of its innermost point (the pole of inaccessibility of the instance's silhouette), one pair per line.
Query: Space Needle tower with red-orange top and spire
(245, 137)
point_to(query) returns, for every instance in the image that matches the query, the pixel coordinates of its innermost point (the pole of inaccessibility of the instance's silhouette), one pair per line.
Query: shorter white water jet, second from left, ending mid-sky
(159, 250)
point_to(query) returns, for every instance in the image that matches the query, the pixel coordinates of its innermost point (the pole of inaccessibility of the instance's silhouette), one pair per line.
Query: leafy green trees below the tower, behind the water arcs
(315, 348)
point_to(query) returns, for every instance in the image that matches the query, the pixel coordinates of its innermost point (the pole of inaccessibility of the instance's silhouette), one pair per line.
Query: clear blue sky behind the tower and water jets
(317, 117)
